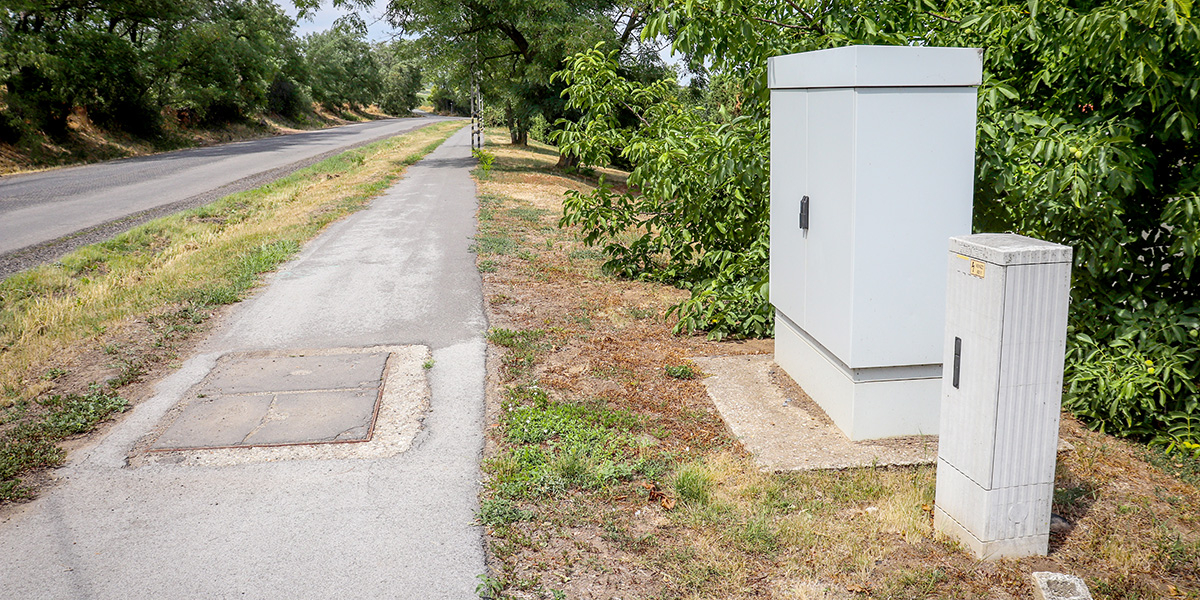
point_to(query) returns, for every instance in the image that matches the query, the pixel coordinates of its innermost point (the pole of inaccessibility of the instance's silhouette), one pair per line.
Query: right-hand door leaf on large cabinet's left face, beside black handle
(831, 191)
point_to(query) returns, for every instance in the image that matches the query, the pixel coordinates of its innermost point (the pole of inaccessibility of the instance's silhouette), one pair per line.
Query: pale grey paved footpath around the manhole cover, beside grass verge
(388, 519)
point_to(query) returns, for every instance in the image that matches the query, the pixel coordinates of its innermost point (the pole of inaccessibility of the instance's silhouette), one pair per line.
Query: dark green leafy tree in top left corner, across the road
(124, 61)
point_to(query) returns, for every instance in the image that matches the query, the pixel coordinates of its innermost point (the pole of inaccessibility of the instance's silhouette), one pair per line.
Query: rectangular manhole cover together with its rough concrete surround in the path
(325, 404)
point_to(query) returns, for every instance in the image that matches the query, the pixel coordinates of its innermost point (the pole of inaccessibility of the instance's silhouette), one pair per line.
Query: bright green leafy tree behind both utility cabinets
(1088, 136)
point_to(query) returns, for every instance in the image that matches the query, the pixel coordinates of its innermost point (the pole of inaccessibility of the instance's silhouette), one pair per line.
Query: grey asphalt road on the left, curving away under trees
(46, 215)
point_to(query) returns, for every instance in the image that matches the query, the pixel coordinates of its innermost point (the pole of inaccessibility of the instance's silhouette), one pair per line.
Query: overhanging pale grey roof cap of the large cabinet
(878, 67)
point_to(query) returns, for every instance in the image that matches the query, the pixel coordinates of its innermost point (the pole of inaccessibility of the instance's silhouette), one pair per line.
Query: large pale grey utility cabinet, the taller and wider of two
(879, 143)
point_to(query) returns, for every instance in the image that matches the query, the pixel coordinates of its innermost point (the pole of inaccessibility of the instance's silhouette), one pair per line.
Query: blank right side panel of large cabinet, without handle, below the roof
(914, 183)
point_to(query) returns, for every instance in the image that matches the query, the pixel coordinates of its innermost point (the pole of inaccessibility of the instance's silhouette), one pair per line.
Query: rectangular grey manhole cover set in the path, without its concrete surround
(281, 400)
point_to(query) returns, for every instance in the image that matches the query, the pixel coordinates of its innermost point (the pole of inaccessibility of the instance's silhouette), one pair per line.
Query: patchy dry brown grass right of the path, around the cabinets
(862, 533)
